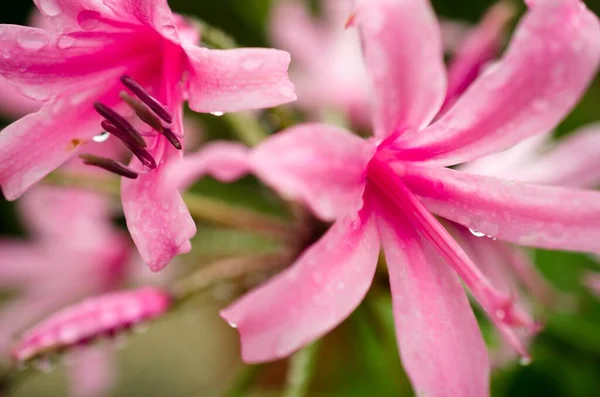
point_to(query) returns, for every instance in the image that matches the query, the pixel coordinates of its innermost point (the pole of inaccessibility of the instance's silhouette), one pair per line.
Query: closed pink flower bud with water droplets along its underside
(98, 316)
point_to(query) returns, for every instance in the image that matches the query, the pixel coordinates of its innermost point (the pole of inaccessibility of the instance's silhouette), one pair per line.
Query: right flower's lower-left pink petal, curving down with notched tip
(311, 297)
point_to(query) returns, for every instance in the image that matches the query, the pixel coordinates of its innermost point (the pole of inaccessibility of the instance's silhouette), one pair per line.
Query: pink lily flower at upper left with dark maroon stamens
(102, 57)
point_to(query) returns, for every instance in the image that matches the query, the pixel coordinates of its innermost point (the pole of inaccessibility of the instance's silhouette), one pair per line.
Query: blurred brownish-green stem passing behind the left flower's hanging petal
(201, 207)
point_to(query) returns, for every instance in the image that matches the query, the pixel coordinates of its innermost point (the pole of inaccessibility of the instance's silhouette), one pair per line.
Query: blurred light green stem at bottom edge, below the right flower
(301, 371)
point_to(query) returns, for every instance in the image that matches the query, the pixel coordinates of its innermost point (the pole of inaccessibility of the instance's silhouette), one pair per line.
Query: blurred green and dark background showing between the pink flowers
(194, 353)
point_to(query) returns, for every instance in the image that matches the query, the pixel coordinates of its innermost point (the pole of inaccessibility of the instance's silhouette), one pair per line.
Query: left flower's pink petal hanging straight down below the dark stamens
(157, 217)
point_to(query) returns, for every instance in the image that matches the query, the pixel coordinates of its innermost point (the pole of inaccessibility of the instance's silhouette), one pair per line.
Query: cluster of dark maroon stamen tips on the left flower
(150, 111)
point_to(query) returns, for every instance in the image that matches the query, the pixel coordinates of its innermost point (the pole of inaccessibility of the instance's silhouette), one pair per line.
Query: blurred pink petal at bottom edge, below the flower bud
(93, 373)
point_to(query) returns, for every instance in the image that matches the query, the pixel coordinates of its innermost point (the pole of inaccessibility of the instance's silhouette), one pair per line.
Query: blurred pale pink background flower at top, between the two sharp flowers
(327, 67)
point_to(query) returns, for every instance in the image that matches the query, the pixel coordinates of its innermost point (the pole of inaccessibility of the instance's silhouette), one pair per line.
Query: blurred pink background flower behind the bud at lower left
(73, 251)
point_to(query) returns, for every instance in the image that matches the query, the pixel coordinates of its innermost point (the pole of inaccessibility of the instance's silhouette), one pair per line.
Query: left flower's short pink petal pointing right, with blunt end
(240, 79)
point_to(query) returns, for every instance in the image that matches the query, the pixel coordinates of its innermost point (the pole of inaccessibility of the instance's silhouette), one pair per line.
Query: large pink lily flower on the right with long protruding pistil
(387, 191)
